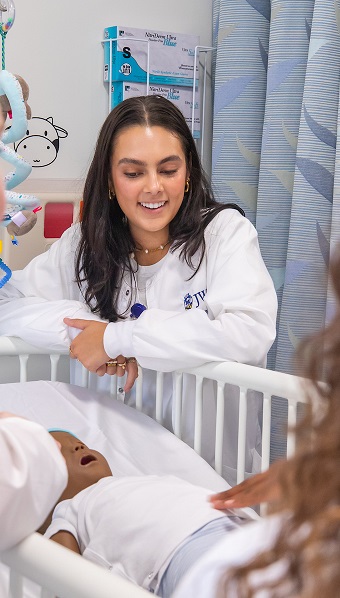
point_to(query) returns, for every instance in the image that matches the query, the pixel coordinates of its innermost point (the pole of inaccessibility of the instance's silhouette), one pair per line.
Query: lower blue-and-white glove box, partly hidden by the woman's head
(182, 97)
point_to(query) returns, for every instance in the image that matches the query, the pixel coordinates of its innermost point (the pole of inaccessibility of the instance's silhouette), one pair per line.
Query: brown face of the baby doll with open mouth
(85, 466)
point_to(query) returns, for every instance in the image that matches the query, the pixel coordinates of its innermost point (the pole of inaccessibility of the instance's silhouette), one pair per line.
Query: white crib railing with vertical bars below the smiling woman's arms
(245, 377)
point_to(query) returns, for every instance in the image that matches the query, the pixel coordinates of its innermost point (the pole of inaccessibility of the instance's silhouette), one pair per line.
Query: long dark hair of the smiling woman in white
(105, 244)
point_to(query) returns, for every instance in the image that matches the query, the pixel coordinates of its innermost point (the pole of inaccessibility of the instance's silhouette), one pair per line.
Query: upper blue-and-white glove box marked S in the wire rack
(171, 56)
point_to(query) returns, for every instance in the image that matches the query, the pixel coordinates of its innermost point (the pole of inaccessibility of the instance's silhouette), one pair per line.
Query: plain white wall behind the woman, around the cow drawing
(56, 46)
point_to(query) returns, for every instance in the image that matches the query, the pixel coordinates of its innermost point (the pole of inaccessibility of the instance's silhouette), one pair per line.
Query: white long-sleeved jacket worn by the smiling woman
(226, 312)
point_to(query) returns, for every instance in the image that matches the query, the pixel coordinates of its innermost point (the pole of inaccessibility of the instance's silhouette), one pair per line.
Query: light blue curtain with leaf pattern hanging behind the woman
(276, 105)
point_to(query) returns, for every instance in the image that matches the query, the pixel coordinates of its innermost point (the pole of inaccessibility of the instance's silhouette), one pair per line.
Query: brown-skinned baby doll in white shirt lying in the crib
(148, 528)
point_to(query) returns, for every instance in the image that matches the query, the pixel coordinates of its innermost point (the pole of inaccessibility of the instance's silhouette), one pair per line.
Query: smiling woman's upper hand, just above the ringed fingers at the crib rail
(88, 346)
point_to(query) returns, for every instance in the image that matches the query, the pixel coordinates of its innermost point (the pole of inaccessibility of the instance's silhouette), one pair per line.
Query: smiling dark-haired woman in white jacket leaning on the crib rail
(157, 270)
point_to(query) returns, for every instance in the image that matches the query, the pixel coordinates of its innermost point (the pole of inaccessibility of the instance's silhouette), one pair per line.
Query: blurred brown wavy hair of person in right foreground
(309, 542)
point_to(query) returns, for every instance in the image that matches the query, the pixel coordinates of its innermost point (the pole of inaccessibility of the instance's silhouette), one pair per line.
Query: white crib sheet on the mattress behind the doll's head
(132, 442)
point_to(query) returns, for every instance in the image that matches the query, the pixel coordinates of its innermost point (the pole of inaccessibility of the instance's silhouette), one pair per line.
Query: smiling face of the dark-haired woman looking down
(148, 174)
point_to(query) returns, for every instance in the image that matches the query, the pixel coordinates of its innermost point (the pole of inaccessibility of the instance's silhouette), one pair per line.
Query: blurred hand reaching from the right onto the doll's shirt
(261, 487)
